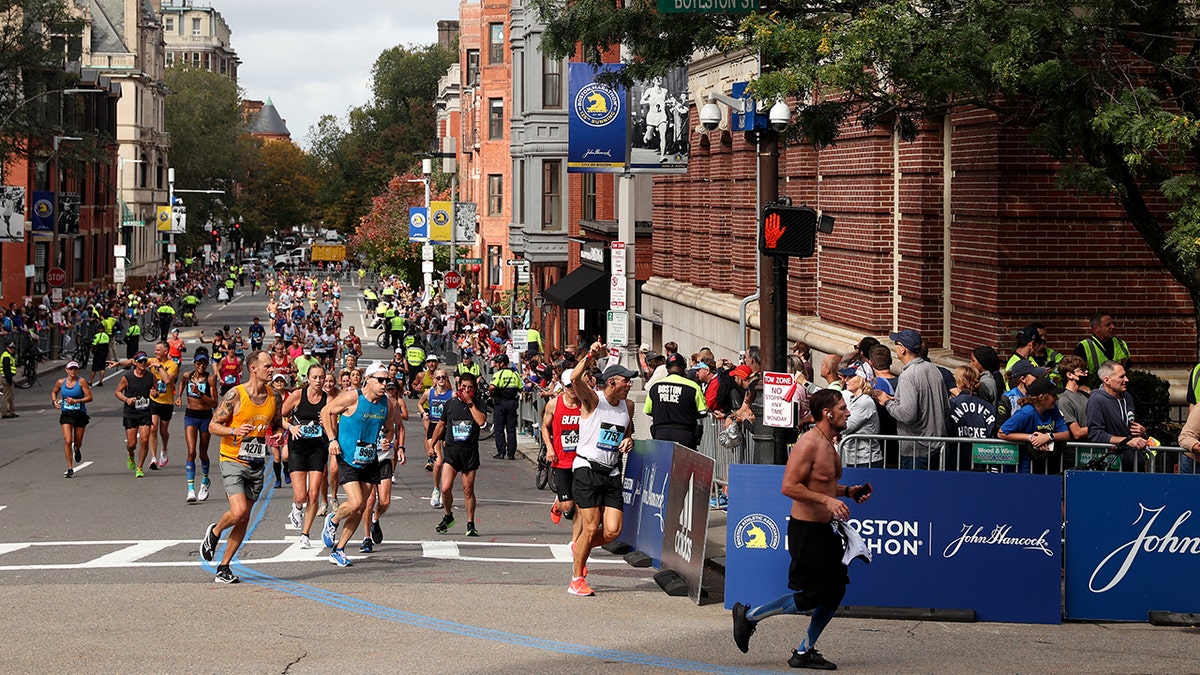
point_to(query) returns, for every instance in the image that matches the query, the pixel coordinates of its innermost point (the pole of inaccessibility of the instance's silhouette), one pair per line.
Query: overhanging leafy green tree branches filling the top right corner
(1109, 88)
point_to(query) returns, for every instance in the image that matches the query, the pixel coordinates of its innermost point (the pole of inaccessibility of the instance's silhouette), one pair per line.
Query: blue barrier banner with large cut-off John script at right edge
(1131, 548)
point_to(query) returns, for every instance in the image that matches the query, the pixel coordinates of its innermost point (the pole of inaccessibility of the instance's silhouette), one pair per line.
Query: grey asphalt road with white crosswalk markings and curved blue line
(101, 574)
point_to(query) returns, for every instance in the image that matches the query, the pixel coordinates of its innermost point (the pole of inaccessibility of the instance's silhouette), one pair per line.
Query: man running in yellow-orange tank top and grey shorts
(248, 417)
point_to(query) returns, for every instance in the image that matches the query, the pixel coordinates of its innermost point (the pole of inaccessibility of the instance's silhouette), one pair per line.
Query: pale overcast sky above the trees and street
(314, 58)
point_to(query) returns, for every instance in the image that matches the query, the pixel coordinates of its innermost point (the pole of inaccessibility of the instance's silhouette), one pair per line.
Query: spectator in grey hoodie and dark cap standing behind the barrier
(921, 407)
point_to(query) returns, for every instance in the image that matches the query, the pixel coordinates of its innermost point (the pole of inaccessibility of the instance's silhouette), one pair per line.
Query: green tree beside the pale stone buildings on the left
(203, 117)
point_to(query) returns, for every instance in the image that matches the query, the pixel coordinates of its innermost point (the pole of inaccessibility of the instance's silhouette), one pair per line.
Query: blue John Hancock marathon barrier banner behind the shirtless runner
(940, 541)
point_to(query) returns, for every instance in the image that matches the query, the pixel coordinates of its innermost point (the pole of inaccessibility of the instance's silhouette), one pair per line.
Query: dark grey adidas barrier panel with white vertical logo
(687, 518)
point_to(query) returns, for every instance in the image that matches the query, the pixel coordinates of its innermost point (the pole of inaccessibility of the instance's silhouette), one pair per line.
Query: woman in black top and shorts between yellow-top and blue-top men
(308, 451)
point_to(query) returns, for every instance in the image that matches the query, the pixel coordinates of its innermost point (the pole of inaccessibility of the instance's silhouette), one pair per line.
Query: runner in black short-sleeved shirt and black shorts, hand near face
(459, 429)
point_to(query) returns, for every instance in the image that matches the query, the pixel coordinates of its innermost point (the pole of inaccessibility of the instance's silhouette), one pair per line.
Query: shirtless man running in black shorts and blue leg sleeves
(818, 576)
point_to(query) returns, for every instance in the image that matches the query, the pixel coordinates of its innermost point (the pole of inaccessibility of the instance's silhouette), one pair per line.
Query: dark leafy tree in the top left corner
(38, 40)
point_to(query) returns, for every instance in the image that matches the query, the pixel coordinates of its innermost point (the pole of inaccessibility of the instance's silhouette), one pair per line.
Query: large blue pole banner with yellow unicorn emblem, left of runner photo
(599, 122)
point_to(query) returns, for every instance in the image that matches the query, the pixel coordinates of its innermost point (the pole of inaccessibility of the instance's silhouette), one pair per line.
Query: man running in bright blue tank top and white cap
(353, 421)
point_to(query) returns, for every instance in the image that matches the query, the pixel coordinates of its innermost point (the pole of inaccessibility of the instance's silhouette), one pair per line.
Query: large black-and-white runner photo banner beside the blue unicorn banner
(658, 112)
